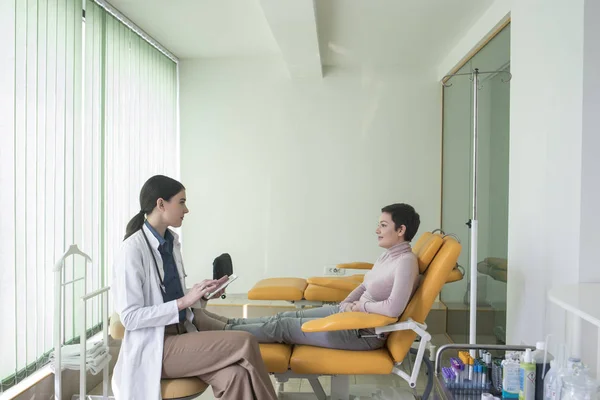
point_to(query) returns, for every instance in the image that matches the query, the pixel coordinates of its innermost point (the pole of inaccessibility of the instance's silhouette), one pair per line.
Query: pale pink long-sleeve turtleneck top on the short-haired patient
(389, 285)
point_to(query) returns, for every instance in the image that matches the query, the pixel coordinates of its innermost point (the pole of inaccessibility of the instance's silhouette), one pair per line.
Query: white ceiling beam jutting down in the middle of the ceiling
(294, 26)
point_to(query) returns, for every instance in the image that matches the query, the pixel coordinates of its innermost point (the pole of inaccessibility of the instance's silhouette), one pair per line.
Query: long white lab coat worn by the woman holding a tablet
(139, 302)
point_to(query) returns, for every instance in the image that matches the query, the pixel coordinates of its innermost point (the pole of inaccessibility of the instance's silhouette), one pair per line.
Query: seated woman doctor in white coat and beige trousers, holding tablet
(163, 336)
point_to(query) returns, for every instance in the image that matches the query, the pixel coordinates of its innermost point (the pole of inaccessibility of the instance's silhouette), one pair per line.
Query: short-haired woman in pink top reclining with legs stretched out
(386, 289)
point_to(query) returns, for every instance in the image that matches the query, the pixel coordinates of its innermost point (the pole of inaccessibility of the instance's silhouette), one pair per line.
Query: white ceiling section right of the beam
(393, 32)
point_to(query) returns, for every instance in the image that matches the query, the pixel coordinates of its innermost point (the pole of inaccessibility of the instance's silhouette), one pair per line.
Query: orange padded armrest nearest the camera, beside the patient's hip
(347, 320)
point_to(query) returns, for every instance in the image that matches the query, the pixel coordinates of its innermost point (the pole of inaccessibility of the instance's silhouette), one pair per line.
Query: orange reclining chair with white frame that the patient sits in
(310, 362)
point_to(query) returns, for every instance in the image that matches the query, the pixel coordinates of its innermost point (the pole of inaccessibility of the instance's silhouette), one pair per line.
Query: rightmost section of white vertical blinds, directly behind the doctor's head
(141, 121)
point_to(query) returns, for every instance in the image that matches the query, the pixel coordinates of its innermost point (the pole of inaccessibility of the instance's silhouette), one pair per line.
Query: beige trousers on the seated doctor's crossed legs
(230, 362)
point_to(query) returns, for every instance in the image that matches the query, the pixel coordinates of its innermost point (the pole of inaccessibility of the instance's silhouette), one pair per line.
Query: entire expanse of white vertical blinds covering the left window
(88, 111)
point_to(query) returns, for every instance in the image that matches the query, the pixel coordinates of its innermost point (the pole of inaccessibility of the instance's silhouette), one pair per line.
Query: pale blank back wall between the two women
(289, 176)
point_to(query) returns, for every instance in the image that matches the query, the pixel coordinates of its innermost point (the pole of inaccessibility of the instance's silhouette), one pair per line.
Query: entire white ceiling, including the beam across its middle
(308, 33)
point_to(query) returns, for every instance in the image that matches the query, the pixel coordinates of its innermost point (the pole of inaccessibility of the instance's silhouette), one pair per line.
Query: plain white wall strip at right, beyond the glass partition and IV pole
(545, 161)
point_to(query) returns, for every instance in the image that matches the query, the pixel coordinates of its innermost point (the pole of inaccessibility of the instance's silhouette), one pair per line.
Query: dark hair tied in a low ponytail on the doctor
(157, 187)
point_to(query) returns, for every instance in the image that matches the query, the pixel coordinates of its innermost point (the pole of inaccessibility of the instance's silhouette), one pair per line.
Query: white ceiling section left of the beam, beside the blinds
(203, 28)
